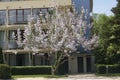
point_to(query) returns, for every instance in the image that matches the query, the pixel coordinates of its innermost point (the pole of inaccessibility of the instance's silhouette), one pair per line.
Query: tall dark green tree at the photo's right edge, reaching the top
(114, 46)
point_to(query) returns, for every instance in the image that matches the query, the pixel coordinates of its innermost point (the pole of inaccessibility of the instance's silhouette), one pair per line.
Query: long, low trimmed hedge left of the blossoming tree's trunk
(30, 70)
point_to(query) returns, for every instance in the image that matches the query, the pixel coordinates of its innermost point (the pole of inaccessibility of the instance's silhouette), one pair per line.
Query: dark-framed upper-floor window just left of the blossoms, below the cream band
(18, 16)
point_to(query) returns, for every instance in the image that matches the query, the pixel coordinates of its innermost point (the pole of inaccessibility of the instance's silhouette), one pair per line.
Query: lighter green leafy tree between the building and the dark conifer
(102, 27)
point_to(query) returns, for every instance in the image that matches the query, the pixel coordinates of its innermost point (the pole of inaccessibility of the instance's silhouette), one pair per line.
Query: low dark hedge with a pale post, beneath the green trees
(102, 69)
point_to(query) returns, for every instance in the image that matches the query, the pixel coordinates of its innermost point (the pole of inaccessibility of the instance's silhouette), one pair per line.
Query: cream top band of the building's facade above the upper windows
(32, 4)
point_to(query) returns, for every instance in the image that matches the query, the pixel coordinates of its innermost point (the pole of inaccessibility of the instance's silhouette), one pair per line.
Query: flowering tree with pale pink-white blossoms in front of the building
(60, 33)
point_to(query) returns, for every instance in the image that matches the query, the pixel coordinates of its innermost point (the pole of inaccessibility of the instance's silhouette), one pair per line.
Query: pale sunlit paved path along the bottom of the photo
(74, 77)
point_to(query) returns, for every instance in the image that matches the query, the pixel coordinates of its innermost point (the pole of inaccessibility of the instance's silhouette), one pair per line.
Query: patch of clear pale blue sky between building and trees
(104, 6)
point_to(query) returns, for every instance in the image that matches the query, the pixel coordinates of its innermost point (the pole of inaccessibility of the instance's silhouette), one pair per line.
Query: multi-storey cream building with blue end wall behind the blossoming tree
(13, 15)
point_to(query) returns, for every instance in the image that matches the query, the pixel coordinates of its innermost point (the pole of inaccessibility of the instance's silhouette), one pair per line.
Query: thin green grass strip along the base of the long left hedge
(32, 76)
